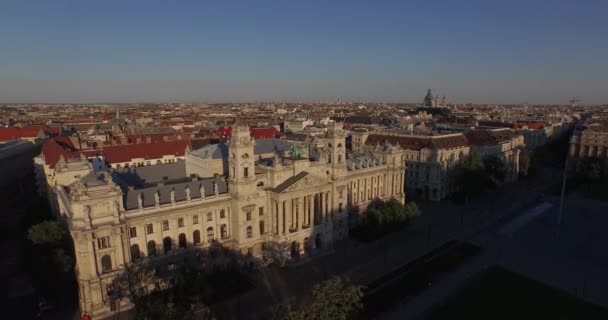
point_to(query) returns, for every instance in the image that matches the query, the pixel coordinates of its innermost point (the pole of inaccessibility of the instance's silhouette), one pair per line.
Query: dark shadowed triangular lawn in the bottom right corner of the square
(501, 294)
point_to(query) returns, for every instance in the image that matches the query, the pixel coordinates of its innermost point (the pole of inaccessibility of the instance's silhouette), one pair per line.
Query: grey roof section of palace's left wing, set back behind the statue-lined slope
(139, 177)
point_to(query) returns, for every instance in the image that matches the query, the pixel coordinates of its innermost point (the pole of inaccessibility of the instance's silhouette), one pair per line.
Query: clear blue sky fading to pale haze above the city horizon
(486, 51)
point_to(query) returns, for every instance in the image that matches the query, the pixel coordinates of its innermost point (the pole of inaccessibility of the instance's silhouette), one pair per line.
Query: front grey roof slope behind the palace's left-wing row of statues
(131, 196)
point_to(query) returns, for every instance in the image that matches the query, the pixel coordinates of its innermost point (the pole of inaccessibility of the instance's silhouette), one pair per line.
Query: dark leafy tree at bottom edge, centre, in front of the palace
(332, 299)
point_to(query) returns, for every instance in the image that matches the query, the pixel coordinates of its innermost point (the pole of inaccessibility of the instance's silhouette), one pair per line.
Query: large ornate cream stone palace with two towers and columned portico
(303, 197)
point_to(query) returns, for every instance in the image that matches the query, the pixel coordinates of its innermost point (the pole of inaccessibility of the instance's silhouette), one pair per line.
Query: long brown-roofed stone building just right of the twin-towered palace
(431, 160)
